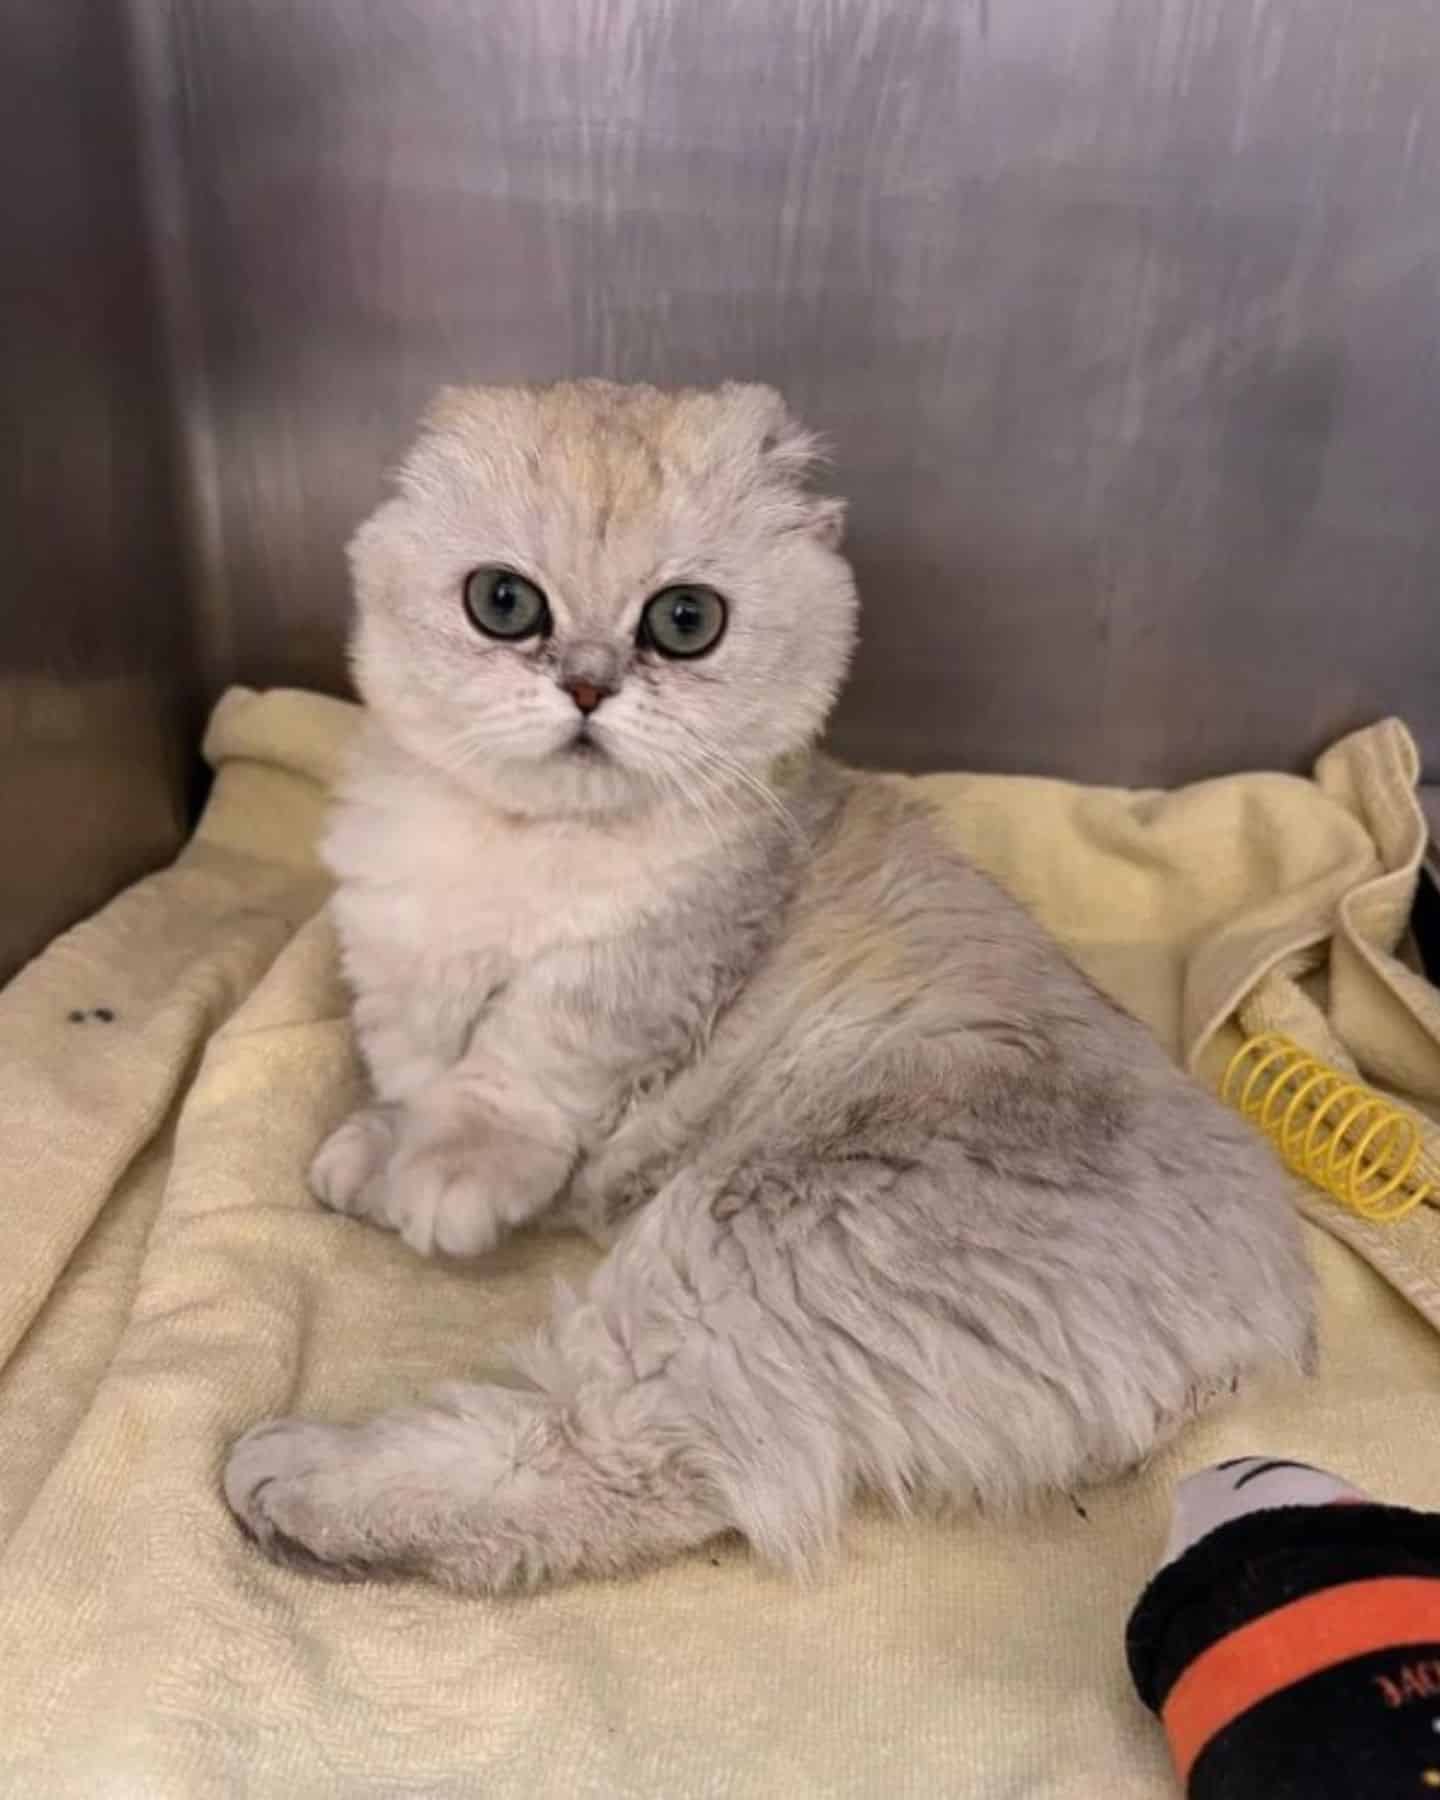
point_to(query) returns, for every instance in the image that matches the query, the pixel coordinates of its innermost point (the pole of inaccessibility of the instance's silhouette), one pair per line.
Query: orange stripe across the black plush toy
(1297, 1641)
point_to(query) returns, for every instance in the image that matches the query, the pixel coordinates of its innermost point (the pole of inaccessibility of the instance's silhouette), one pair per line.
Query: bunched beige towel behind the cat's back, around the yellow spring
(1270, 901)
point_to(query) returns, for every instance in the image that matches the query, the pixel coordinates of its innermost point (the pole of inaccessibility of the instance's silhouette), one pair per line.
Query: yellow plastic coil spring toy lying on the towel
(1331, 1129)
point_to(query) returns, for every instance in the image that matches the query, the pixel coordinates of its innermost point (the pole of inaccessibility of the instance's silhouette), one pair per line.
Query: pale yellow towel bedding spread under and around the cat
(166, 1281)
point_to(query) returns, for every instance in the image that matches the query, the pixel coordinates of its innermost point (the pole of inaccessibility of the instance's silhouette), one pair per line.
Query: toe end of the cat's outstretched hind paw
(287, 1486)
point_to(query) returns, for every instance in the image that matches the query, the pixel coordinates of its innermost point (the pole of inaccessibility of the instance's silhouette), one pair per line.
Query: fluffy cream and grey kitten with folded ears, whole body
(897, 1203)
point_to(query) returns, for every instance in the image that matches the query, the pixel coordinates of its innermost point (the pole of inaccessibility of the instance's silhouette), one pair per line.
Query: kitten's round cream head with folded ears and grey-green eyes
(591, 598)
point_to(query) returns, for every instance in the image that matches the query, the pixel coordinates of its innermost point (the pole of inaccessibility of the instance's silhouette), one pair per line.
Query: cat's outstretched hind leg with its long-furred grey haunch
(751, 1354)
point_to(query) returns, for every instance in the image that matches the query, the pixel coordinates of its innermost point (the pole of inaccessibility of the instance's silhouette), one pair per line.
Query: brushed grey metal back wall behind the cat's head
(1122, 318)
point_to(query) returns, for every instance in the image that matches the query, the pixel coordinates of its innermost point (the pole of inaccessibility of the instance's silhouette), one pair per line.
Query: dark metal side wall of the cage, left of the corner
(94, 658)
